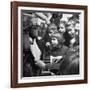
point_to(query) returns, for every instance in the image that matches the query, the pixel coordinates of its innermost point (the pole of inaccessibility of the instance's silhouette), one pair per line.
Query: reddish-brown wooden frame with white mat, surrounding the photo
(18, 12)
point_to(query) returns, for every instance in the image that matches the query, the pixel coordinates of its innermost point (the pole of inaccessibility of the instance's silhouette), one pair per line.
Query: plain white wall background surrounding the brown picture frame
(5, 46)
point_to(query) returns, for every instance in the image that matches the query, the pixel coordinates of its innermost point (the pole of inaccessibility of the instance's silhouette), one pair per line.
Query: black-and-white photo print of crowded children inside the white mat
(50, 43)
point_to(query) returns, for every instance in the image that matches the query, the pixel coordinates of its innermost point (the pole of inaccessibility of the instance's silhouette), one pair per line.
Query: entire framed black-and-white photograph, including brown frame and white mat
(50, 44)
